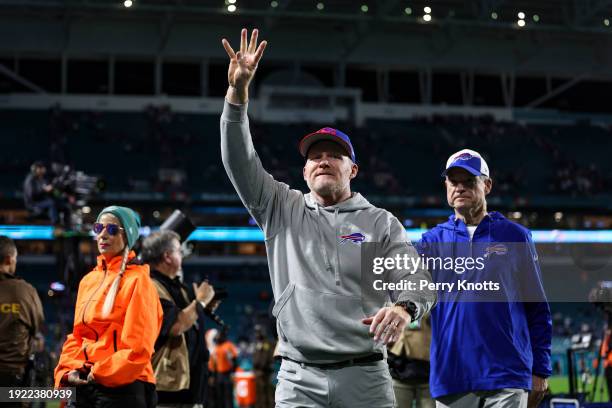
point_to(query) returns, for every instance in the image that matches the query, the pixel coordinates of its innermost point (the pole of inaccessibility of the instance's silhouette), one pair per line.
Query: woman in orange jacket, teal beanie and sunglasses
(117, 319)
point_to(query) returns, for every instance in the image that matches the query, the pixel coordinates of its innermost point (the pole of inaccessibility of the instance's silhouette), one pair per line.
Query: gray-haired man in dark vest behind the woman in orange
(181, 357)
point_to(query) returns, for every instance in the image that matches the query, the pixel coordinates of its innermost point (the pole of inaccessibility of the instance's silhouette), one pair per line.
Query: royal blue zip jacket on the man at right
(488, 345)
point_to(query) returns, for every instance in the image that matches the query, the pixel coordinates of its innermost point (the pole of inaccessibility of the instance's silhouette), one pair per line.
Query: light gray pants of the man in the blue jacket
(504, 398)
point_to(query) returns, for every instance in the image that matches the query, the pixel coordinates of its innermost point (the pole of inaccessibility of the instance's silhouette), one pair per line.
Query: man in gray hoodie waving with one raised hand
(332, 325)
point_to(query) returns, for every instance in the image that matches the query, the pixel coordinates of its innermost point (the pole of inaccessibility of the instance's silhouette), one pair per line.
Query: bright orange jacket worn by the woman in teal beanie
(117, 348)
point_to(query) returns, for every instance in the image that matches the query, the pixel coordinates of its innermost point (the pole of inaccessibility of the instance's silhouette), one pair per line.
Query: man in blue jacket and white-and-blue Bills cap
(489, 347)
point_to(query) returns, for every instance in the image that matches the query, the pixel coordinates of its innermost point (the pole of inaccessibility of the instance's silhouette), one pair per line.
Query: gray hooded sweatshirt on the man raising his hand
(320, 288)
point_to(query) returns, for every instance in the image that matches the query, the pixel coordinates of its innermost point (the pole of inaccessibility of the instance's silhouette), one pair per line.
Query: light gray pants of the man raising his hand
(367, 386)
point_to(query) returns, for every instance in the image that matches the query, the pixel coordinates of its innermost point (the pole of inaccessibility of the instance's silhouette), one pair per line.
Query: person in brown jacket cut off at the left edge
(21, 316)
